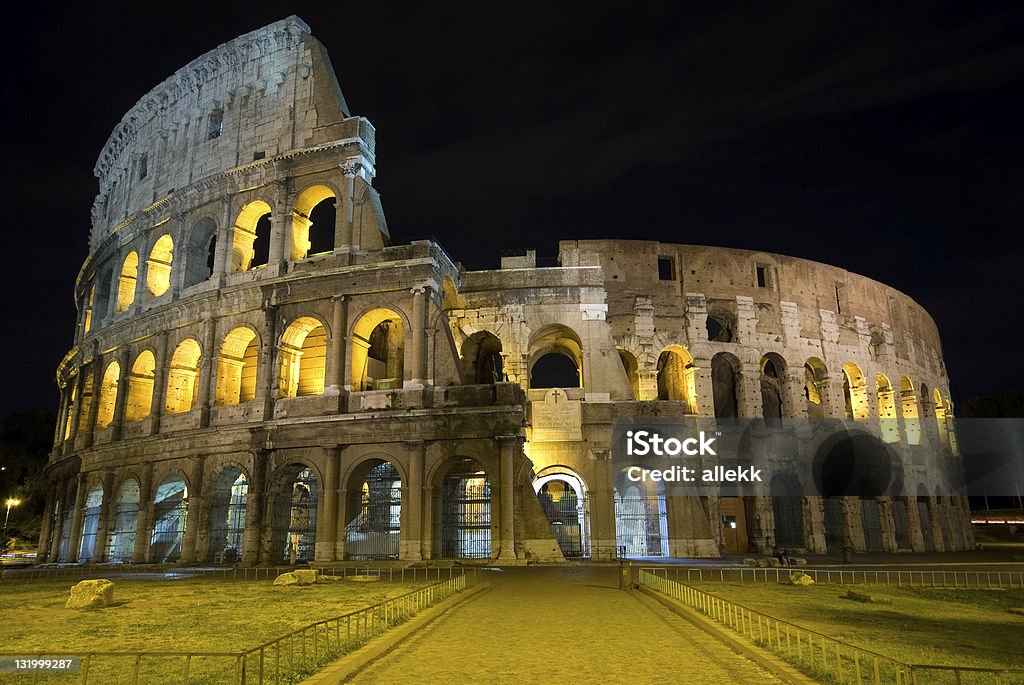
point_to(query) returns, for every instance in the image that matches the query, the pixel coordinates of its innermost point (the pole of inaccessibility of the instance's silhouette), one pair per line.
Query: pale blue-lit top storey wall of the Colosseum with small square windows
(258, 97)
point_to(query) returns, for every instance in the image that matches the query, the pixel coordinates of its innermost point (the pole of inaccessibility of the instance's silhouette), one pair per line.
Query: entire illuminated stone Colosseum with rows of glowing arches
(262, 375)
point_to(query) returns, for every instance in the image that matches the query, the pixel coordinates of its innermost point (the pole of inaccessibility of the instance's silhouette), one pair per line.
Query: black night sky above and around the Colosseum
(886, 143)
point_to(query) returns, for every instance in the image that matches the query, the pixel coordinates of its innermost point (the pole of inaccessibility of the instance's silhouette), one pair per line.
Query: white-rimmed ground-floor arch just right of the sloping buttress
(567, 504)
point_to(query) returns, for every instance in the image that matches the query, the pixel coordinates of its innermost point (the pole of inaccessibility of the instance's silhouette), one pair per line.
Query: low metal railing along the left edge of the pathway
(285, 660)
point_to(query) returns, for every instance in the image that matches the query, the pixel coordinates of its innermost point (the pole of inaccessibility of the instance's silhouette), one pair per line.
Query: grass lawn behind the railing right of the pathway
(917, 626)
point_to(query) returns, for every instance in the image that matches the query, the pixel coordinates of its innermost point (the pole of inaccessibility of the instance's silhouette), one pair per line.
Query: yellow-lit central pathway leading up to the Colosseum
(562, 625)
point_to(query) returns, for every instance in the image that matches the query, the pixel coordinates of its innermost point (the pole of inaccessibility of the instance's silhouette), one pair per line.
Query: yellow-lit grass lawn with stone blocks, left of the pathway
(185, 615)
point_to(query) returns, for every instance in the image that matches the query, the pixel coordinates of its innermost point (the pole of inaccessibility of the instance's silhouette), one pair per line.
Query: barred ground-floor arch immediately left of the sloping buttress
(465, 520)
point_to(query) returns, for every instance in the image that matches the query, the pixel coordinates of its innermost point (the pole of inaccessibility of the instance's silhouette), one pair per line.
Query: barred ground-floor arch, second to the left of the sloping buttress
(373, 512)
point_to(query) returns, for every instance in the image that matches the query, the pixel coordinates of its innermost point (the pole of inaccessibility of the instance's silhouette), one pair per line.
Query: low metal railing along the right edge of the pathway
(818, 655)
